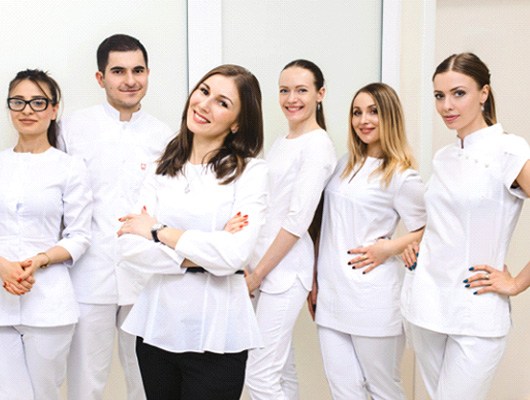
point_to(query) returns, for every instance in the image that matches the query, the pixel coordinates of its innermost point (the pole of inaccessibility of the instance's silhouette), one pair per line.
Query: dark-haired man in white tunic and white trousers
(118, 141)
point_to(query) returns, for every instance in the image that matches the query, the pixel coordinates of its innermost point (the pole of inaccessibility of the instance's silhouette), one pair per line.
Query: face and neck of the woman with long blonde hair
(365, 123)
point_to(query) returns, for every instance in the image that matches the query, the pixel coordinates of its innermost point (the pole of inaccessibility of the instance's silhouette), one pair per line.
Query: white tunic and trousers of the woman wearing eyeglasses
(45, 201)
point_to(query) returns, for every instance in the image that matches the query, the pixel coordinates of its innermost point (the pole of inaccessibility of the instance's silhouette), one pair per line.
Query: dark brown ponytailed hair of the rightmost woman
(469, 64)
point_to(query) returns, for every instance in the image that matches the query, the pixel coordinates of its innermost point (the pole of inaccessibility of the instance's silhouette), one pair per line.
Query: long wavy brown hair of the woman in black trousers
(229, 161)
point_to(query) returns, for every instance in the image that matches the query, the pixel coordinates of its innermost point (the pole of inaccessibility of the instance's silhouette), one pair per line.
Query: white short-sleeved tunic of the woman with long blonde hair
(358, 210)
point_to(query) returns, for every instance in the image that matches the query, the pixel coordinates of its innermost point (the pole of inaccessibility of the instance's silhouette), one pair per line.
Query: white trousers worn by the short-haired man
(91, 353)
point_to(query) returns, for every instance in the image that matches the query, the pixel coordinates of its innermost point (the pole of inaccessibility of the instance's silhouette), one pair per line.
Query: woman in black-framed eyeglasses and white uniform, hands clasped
(45, 210)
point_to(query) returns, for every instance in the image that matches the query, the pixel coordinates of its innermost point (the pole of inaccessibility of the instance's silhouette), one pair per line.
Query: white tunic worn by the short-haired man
(118, 155)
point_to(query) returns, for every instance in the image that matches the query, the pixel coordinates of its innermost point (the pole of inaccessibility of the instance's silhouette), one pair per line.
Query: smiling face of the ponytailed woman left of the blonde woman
(299, 98)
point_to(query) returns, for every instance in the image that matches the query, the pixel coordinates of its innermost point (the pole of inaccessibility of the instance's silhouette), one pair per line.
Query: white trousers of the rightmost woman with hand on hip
(456, 366)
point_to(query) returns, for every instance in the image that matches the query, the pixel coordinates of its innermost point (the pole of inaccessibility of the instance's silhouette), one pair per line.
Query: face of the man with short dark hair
(124, 81)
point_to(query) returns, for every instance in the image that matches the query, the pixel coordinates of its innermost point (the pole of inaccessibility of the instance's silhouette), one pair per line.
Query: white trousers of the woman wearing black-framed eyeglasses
(33, 361)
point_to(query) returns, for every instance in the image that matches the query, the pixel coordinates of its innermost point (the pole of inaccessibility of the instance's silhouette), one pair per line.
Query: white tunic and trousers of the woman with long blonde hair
(358, 314)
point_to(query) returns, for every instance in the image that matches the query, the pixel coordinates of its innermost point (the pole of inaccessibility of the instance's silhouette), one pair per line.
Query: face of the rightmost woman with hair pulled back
(459, 100)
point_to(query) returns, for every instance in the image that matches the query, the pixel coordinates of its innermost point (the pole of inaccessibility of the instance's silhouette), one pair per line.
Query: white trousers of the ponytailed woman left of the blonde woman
(271, 372)
